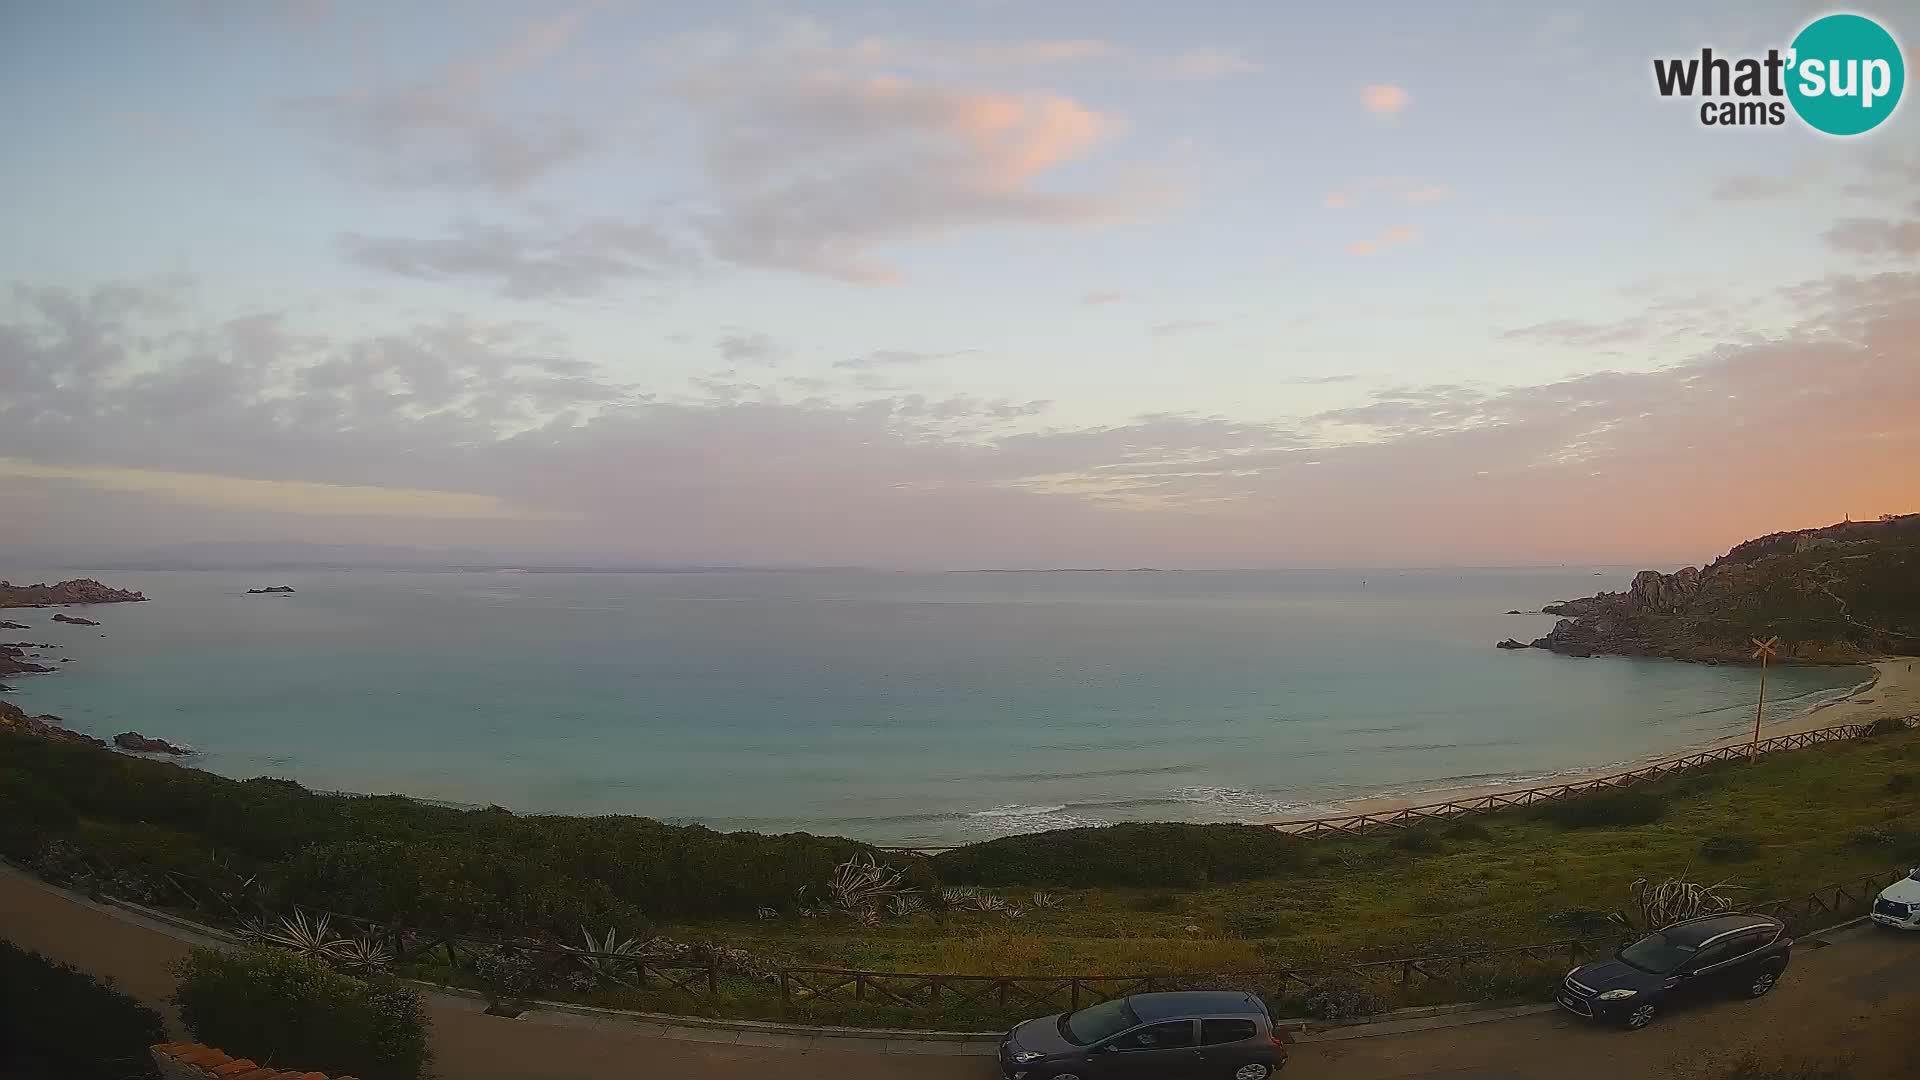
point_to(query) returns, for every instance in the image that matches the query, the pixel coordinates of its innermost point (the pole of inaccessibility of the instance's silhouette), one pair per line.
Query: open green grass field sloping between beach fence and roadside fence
(1779, 827)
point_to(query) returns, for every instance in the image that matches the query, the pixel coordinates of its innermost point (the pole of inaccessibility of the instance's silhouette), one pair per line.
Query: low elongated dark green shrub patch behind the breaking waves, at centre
(1138, 854)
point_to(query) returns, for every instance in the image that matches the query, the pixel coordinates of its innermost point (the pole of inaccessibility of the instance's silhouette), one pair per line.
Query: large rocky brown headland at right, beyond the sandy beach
(1838, 595)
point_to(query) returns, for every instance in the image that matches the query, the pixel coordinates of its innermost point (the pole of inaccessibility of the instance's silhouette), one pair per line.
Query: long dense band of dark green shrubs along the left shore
(406, 862)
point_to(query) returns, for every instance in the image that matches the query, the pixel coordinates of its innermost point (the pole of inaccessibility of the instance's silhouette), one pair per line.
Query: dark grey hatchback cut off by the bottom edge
(1199, 1035)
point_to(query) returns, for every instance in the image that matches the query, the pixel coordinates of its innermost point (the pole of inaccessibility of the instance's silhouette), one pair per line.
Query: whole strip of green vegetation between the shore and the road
(1122, 900)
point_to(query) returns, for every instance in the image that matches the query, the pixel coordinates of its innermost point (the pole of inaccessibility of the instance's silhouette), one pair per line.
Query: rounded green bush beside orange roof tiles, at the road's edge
(293, 1012)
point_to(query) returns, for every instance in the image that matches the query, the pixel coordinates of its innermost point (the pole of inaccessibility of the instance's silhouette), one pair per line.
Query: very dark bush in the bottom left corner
(57, 1021)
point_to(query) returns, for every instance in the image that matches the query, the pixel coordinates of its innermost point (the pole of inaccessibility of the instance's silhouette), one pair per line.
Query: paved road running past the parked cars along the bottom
(1831, 996)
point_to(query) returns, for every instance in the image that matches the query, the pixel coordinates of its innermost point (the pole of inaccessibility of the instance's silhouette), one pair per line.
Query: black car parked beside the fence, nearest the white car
(1687, 962)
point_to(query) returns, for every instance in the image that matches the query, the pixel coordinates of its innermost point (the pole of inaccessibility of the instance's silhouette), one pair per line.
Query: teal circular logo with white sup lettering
(1846, 74)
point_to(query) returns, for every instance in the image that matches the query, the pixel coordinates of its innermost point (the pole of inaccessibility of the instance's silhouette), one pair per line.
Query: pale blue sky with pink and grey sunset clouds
(940, 285)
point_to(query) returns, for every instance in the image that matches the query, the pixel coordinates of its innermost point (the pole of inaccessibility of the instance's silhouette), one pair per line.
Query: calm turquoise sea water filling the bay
(898, 708)
